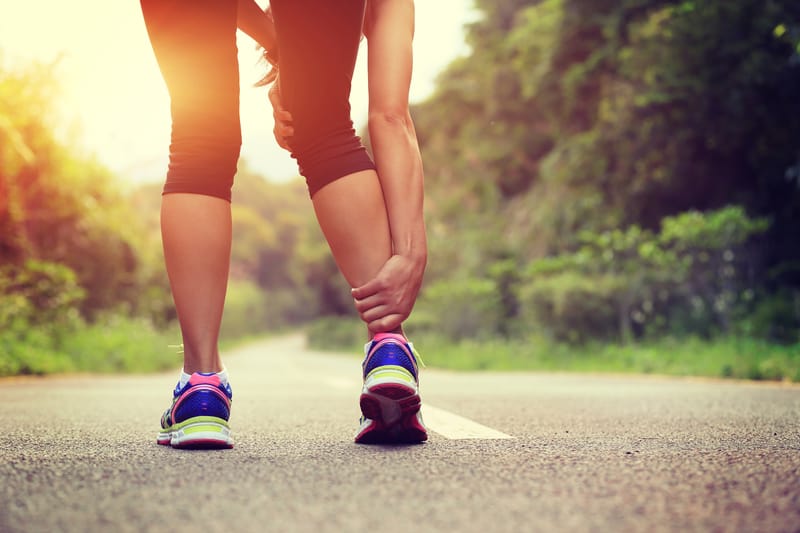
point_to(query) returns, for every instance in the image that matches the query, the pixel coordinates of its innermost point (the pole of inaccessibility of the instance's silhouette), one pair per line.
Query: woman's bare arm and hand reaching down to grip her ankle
(388, 299)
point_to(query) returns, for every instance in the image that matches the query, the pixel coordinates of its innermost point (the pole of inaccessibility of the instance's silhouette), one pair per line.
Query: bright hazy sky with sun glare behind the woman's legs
(112, 92)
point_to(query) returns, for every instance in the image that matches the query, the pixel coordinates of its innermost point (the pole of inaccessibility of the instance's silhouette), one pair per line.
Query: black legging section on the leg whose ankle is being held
(318, 44)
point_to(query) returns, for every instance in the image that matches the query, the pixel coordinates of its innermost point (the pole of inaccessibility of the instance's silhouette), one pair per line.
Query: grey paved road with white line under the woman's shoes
(587, 453)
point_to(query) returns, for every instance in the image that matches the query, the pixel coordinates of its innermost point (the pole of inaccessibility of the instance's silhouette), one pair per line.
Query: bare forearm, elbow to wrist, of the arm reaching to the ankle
(397, 156)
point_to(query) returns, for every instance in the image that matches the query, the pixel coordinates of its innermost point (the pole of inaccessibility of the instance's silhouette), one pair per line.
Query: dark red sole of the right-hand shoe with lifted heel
(392, 410)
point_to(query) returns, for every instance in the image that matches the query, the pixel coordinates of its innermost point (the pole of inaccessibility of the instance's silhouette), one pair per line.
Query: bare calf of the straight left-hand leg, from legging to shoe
(196, 232)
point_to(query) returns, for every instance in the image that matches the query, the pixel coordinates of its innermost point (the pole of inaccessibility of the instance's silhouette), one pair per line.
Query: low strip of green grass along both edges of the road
(124, 345)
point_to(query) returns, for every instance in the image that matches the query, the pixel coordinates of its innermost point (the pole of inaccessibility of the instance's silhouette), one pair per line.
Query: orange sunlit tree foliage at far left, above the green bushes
(61, 207)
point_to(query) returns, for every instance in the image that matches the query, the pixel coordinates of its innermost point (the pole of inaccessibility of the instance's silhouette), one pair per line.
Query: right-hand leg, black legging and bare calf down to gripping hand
(318, 43)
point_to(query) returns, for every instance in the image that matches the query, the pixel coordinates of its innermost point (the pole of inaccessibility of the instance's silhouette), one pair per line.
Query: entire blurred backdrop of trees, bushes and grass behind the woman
(612, 185)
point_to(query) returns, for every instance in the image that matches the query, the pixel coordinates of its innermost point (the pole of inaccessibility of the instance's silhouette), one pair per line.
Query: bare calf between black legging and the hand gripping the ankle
(352, 215)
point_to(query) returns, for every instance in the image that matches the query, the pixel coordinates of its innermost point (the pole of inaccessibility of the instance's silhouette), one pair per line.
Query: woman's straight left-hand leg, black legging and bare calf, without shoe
(195, 45)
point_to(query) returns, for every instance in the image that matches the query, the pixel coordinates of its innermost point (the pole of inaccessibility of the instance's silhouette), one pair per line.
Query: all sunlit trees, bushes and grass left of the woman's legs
(80, 283)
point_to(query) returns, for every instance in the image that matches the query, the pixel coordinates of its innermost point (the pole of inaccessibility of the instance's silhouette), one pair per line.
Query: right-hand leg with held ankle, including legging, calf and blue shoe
(318, 43)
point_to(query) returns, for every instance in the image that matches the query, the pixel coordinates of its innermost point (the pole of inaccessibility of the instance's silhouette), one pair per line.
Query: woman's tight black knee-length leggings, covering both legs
(195, 45)
